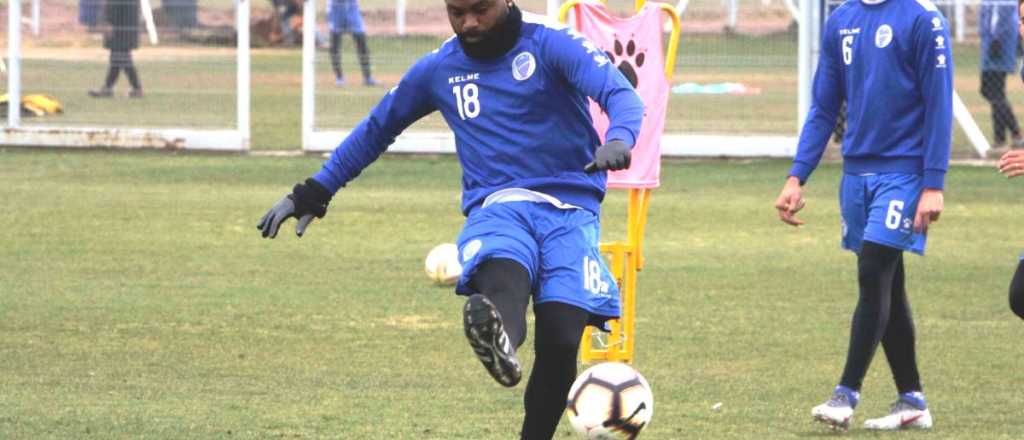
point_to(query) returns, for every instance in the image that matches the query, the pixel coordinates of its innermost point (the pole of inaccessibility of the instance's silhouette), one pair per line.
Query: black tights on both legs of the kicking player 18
(560, 328)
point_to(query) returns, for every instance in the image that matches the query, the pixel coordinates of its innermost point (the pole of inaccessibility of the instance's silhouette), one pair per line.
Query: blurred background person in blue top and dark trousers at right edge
(1000, 38)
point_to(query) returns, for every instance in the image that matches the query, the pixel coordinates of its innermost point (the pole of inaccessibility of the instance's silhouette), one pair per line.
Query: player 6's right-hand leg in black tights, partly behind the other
(899, 341)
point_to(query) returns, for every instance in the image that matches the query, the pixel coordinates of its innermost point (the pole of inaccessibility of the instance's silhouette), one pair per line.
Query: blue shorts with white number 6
(880, 208)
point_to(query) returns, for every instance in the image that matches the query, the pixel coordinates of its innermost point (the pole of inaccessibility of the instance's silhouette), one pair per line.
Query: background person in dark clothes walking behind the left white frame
(121, 38)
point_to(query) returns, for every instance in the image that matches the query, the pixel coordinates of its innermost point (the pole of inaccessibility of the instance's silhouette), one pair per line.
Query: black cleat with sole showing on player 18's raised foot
(487, 335)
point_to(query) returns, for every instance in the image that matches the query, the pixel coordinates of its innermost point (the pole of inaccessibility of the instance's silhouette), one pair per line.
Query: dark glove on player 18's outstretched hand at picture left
(307, 201)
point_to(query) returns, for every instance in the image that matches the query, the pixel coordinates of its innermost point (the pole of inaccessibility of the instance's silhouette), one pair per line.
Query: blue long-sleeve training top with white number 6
(891, 63)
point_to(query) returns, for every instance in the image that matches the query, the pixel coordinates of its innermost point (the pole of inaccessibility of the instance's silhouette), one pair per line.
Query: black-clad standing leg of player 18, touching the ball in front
(557, 341)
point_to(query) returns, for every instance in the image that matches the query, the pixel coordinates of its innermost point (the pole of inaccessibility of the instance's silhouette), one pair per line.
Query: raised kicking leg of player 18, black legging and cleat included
(495, 319)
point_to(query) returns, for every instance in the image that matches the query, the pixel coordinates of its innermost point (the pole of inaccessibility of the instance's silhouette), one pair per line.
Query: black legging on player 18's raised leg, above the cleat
(507, 285)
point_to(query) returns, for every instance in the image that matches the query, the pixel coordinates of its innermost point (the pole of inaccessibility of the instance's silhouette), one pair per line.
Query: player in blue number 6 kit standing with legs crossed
(891, 62)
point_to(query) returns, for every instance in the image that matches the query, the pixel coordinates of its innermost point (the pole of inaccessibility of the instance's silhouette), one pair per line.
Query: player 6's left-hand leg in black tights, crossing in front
(876, 272)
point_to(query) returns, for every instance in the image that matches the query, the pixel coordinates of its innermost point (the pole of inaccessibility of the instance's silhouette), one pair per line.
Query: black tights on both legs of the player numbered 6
(883, 315)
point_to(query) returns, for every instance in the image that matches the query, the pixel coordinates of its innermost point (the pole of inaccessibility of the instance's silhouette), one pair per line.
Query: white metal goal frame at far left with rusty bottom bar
(236, 139)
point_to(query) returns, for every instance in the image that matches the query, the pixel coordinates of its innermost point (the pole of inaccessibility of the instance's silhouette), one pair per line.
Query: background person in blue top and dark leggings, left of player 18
(346, 17)
